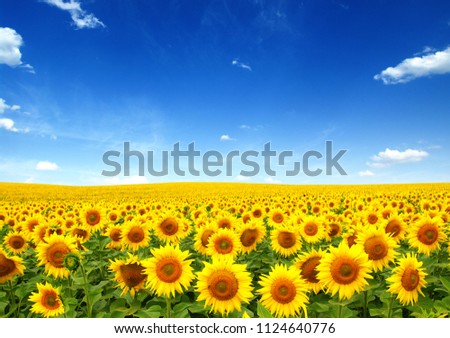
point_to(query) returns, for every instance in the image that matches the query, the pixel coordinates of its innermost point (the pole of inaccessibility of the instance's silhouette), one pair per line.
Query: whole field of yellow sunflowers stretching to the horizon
(224, 250)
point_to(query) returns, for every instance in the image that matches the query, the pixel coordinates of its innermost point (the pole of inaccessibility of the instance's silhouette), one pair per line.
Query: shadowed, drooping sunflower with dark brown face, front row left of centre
(129, 274)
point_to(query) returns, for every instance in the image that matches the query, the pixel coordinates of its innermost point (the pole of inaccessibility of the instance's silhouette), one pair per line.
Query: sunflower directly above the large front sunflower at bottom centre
(223, 242)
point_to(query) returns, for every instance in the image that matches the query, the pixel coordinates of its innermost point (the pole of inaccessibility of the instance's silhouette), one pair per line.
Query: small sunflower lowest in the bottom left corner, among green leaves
(47, 301)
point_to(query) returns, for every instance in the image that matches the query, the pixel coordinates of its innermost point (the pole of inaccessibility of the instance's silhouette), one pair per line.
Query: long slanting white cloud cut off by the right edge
(419, 66)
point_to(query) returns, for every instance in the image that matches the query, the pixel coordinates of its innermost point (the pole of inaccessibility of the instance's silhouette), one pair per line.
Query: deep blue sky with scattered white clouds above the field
(79, 78)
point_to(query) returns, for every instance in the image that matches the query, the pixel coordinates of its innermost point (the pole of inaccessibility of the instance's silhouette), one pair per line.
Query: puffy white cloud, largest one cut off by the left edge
(10, 42)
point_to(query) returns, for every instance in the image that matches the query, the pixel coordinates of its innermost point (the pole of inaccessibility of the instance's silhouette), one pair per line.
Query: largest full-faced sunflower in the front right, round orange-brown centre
(344, 270)
